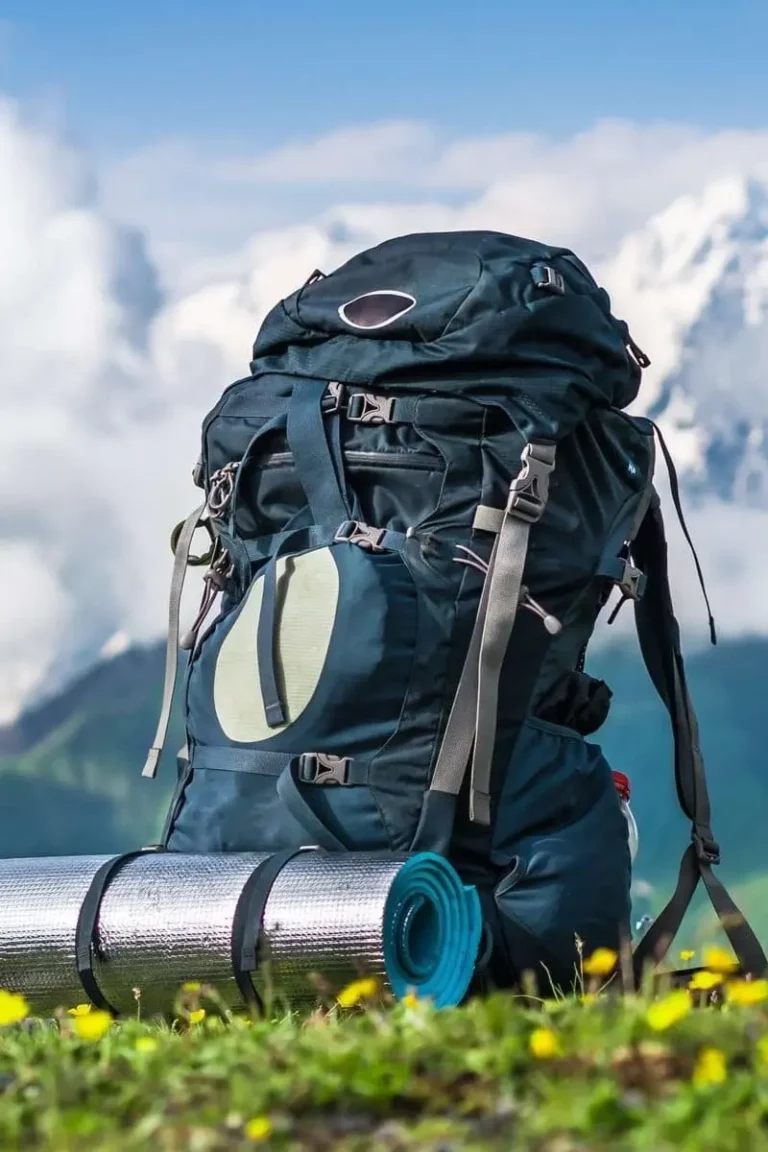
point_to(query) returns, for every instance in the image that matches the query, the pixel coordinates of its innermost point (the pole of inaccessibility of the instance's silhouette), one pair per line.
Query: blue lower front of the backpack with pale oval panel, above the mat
(346, 634)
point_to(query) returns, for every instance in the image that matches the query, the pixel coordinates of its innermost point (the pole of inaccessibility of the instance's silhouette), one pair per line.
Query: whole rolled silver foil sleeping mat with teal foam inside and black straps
(117, 930)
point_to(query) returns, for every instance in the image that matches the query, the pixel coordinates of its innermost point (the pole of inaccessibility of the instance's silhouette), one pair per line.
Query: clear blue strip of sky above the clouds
(257, 74)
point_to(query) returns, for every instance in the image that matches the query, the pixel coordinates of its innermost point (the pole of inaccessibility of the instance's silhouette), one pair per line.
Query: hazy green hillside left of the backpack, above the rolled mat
(71, 770)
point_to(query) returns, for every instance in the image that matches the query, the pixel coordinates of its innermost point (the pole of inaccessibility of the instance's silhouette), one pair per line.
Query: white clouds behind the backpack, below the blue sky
(105, 385)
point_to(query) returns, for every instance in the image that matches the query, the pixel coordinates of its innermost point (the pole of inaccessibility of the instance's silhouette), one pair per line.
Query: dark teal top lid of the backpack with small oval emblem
(480, 313)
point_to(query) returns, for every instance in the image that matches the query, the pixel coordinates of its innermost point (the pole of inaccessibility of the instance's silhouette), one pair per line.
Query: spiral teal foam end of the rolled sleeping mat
(434, 927)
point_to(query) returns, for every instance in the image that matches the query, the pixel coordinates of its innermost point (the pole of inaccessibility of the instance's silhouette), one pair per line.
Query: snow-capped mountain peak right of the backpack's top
(694, 285)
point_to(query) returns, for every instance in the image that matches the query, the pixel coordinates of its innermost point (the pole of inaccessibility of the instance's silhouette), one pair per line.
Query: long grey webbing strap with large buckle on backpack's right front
(474, 715)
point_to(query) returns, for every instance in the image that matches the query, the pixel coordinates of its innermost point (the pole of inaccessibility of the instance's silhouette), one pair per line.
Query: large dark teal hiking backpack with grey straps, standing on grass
(419, 504)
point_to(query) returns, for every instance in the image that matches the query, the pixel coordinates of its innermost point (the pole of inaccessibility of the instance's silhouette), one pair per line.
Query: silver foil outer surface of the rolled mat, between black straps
(168, 919)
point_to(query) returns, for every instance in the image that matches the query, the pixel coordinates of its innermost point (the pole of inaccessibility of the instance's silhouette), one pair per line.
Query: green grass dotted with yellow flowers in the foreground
(394, 1079)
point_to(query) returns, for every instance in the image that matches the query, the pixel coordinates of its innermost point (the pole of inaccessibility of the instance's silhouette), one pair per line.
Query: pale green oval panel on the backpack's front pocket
(308, 598)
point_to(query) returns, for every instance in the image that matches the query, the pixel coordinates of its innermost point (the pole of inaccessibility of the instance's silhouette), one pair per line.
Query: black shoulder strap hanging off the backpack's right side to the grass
(660, 643)
